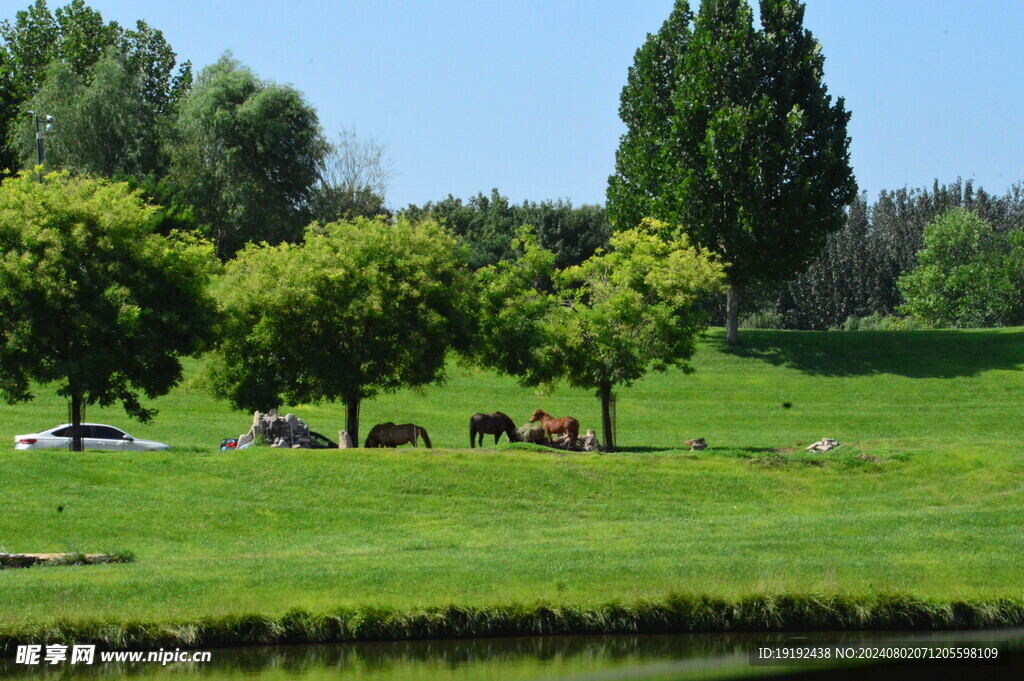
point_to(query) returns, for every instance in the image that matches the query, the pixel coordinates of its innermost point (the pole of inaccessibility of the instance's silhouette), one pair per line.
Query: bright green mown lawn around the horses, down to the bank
(926, 497)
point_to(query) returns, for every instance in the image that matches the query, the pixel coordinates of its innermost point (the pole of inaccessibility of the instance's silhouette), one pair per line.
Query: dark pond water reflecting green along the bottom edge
(577, 659)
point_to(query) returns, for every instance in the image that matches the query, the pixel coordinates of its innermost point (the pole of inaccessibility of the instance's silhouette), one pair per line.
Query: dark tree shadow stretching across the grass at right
(947, 354)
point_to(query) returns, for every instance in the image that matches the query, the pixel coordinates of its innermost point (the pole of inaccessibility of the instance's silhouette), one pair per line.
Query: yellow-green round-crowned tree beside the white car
(94, 301)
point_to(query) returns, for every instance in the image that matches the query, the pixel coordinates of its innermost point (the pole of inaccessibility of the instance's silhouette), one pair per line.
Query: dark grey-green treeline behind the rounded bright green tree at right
(858, 274)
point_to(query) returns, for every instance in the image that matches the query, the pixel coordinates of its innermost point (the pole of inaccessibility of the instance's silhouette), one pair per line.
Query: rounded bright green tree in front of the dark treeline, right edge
(969, 275)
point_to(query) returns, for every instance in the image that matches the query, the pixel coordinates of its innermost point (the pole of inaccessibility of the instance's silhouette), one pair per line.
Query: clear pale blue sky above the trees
(524, 96)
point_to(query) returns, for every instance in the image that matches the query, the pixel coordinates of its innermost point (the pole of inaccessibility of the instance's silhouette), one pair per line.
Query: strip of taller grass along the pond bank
(670, 616)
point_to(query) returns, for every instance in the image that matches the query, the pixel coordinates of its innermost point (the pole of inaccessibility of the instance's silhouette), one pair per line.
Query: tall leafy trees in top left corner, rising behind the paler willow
(77, 37)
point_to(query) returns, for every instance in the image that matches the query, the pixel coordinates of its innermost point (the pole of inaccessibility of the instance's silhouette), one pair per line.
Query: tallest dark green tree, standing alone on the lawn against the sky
(732, 134)
